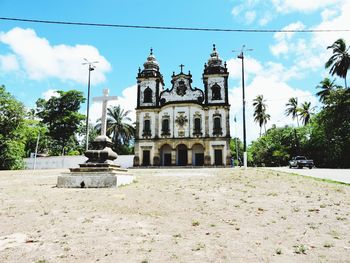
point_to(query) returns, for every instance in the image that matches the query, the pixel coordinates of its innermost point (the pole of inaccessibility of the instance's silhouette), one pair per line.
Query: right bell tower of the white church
(215, 77)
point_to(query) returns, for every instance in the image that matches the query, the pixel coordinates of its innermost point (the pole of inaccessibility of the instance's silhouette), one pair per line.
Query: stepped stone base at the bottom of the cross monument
(95, 177)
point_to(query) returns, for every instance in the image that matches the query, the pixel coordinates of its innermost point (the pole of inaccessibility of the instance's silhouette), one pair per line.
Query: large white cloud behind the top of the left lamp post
(41, 60)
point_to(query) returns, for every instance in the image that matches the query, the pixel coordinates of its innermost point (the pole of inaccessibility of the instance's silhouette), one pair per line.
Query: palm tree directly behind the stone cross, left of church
(118, 127)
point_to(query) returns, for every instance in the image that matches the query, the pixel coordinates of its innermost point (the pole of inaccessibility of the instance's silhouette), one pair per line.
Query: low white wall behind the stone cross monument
(58, 162)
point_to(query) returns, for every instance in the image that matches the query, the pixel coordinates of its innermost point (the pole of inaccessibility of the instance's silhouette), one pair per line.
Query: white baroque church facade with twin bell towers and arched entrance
(182, 126)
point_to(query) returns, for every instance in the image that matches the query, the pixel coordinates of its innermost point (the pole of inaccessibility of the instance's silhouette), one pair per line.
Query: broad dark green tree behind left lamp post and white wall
(61, 116)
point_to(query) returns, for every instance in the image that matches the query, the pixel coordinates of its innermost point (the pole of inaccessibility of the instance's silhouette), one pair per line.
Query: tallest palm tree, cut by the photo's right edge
(339, 62)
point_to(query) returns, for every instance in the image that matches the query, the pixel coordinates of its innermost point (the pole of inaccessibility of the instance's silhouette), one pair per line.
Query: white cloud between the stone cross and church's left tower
(127, 101)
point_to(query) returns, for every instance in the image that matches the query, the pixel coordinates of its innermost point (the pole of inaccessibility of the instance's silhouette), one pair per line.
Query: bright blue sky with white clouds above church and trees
(36, 59)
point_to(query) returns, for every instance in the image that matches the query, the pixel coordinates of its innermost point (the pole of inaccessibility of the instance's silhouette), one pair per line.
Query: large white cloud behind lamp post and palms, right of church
(270, 80)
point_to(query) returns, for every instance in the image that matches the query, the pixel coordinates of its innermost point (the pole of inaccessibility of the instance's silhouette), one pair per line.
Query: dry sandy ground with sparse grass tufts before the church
(192, 215)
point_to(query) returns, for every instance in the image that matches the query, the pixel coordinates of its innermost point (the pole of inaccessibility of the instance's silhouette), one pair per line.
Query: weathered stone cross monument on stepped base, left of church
(99, 171)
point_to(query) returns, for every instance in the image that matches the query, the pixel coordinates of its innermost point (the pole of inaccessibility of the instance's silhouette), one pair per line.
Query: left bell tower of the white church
(149, 83)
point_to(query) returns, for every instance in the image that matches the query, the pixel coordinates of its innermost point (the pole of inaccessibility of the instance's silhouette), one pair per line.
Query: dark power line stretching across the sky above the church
(175, 28)
